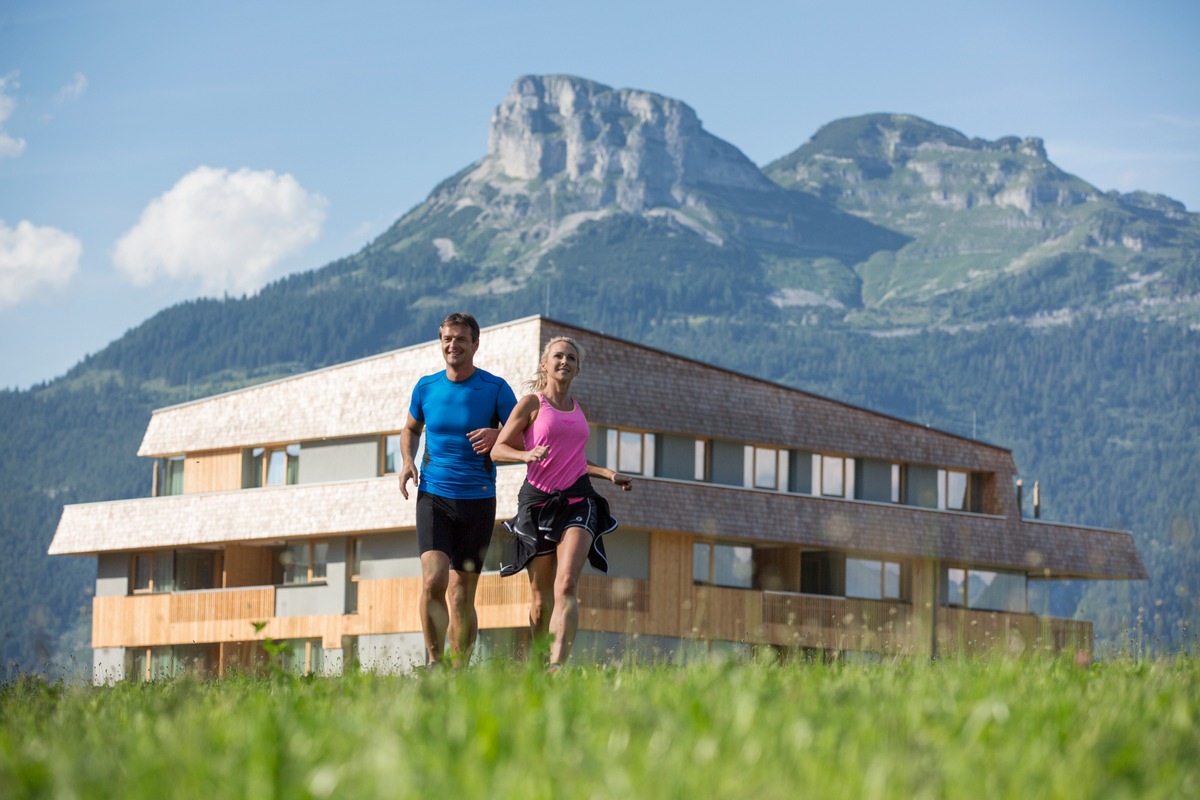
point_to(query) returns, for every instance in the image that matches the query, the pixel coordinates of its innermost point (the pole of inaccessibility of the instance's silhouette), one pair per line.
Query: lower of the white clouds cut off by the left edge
(32, 257)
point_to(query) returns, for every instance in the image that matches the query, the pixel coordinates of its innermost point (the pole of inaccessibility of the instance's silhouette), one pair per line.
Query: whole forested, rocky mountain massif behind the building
(889, 262)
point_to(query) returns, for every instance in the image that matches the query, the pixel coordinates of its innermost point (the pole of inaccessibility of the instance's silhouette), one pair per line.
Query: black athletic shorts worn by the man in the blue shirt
(463, 530)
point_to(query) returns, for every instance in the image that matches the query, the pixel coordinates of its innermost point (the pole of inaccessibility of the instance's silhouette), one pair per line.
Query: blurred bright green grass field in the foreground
(950, 730)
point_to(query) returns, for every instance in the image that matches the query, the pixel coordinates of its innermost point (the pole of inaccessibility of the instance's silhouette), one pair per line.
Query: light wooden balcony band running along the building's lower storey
(611, 605)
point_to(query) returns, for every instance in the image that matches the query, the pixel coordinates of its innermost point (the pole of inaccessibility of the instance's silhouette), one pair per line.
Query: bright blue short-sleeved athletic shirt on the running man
(451, 411)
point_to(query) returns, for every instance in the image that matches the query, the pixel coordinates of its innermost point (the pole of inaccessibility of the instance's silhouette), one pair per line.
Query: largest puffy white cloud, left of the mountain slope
(227, 231)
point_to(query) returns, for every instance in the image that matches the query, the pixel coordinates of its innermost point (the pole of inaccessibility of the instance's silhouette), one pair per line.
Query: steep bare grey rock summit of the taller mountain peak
(649, 148)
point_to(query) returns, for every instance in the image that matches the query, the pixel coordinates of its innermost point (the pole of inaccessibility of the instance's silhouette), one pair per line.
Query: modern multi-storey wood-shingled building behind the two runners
(764, 516)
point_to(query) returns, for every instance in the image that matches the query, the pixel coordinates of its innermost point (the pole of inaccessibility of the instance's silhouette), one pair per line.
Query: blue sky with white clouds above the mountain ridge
(153, 153)
